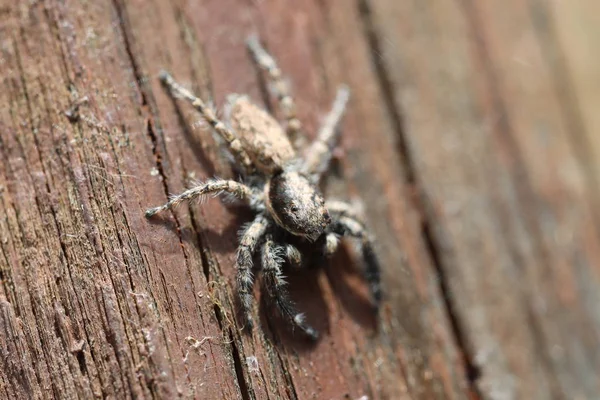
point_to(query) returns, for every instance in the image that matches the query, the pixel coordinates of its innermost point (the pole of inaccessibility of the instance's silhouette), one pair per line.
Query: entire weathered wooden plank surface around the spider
(471, 138)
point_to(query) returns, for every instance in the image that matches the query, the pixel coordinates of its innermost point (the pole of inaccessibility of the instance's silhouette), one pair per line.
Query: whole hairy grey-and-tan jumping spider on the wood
(293, 222)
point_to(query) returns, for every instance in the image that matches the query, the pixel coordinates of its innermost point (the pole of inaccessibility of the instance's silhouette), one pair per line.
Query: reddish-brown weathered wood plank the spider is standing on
(98, 301)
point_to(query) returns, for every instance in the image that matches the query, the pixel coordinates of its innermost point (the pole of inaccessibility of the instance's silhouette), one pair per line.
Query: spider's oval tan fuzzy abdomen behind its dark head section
(261, 135)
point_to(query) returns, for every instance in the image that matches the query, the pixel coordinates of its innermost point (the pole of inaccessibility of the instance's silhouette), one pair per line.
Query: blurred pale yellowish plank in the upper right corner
(573, 30)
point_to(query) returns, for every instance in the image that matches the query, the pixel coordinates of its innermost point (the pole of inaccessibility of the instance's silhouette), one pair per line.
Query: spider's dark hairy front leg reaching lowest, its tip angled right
(275, 285)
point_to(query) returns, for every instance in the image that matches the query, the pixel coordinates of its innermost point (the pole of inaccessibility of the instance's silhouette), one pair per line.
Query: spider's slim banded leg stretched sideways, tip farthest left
(234, 188)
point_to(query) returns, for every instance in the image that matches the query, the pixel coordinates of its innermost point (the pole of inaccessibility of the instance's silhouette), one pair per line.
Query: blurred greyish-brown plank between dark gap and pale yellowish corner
(504, 194)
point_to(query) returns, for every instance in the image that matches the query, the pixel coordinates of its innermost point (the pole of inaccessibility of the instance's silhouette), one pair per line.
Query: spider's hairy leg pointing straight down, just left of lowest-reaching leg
(250, 239)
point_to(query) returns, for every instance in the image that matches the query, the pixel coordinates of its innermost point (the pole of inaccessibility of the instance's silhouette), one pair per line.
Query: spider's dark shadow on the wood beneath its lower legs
(341, 271)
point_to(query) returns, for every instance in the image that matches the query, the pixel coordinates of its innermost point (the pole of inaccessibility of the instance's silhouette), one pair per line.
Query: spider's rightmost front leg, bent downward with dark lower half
(346, 226)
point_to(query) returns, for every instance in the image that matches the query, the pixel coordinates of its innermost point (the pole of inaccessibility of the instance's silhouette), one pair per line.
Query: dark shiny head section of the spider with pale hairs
(297, 205)
